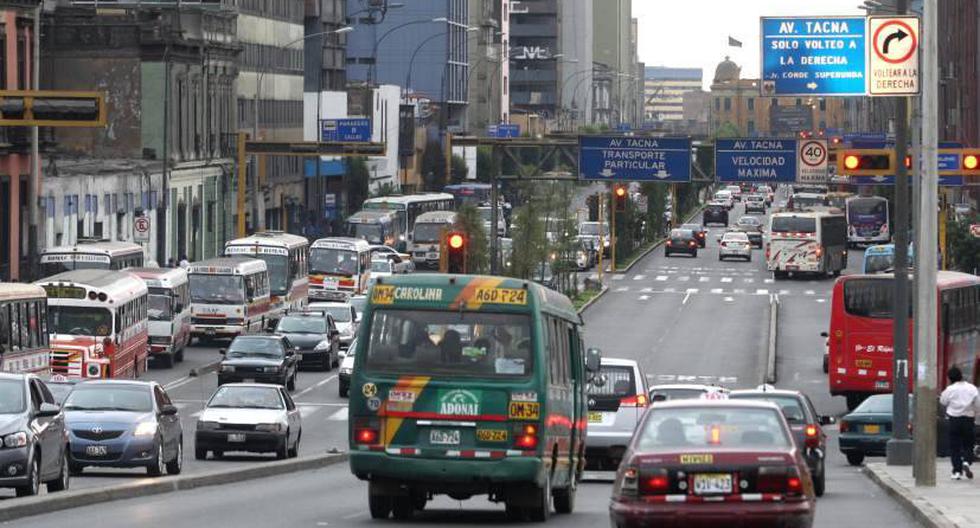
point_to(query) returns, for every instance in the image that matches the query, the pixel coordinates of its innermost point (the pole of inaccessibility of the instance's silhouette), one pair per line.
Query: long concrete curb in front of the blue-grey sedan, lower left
(26, 507)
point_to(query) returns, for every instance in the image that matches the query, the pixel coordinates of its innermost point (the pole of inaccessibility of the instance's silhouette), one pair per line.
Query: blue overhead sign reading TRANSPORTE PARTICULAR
(623, 158)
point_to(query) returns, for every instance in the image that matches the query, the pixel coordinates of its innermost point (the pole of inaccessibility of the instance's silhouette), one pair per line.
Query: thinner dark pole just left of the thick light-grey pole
(899, 448)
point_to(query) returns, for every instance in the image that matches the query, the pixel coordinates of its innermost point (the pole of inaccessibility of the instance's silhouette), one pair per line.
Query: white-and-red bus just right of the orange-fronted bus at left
(169, 312)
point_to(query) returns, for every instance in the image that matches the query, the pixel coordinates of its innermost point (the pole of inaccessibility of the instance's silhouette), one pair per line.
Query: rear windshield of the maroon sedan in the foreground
(711, 427)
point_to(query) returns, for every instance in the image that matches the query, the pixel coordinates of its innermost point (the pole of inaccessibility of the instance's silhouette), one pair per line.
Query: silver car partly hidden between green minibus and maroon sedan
(617, 401)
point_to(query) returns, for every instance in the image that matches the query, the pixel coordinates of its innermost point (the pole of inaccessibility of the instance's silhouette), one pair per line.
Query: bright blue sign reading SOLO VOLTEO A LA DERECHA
(814, 56)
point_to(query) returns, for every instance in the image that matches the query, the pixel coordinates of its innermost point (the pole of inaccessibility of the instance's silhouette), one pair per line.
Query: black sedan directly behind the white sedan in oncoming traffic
(262, 359)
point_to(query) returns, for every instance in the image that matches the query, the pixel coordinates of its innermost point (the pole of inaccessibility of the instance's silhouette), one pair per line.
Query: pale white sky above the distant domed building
(694, 33)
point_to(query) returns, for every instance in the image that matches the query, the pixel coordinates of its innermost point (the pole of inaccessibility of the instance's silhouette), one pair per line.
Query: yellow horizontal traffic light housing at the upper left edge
(52, 108)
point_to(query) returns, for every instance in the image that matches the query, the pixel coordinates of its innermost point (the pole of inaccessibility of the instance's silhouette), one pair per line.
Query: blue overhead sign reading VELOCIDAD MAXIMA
(755, 160)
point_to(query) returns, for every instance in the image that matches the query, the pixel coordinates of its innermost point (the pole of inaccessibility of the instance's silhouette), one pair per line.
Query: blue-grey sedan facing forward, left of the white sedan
(124, 424)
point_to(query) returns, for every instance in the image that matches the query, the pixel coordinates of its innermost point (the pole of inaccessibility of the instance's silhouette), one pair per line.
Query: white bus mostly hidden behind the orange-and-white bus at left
(91, 254)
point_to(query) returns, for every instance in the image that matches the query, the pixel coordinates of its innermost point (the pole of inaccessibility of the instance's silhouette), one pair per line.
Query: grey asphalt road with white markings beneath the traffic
(684, 319)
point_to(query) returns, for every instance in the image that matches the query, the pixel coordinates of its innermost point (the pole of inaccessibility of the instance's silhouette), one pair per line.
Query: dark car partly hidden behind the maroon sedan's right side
(805, 423)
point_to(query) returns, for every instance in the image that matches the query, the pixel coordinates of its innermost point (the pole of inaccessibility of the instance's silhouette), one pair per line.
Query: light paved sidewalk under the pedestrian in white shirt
(949, 504)
